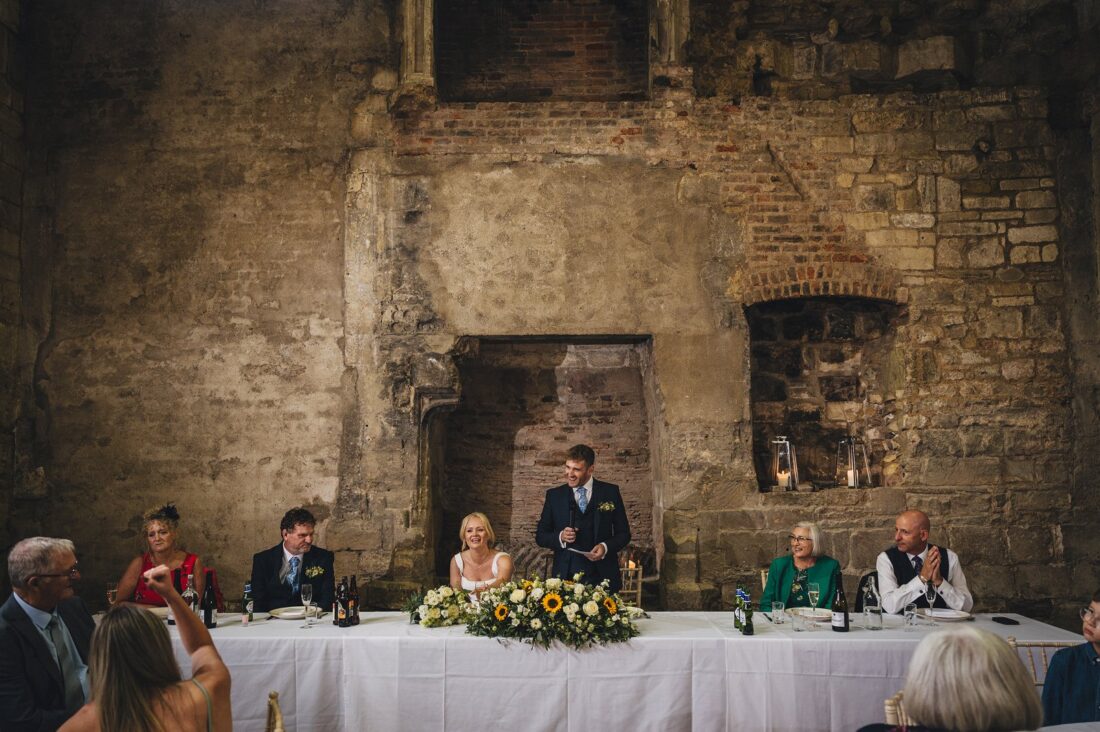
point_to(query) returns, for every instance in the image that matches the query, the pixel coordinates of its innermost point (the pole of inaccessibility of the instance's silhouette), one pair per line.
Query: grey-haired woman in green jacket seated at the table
(789, 578)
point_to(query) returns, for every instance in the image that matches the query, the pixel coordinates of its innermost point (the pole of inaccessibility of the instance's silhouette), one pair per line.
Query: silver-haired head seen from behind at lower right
(970, 680)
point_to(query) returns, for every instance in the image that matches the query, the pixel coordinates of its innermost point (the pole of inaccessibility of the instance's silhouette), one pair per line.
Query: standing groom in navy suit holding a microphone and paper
(585, 523)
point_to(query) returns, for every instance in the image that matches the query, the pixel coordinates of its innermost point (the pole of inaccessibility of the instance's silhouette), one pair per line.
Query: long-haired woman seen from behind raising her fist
(136, 682)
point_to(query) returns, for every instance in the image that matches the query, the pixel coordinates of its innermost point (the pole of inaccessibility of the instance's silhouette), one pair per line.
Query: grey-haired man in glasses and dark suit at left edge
(46, 632)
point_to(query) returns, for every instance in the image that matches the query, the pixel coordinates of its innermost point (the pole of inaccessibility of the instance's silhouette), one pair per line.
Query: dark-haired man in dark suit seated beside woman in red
(279, 573)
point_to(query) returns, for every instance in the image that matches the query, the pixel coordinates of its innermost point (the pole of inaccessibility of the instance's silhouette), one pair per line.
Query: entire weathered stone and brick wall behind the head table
(254, 265)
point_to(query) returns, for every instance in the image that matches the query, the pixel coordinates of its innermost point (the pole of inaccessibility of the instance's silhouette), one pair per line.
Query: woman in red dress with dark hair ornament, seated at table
(161, 530)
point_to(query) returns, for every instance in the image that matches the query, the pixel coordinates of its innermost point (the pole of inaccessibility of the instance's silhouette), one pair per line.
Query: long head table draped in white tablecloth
(688, 671)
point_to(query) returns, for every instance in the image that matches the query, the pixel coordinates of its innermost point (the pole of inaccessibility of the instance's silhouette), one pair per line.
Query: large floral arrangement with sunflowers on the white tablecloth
(543, 611)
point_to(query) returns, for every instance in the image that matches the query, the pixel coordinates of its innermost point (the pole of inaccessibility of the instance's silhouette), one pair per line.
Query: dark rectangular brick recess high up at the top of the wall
(542, 50)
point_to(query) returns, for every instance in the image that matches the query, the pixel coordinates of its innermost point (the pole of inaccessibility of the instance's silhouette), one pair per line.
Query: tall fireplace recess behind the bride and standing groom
(524, 402)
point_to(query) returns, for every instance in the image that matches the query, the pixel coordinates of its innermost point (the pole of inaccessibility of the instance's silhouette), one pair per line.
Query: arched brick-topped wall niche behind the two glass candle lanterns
(823, 370)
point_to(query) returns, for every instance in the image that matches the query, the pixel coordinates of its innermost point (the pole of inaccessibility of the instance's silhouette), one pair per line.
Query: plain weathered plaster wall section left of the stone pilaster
(185, 201)
